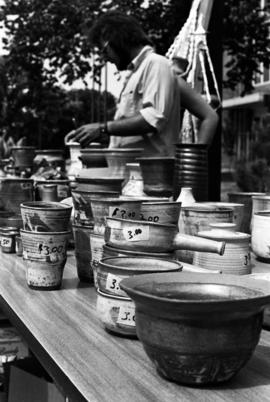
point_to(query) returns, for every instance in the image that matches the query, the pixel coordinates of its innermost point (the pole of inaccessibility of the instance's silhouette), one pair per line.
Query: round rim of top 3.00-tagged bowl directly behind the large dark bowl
(178, 266)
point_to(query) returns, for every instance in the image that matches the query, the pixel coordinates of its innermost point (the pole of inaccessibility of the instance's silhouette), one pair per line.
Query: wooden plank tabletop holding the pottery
(62, 329)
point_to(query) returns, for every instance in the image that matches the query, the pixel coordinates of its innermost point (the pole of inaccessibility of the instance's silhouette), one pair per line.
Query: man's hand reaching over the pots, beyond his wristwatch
(84, 134)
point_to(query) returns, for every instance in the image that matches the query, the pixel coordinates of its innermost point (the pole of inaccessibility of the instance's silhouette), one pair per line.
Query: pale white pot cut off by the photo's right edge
(260, 237)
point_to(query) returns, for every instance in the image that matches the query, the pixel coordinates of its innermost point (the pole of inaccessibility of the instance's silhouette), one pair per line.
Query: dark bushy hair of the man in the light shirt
(121, 30)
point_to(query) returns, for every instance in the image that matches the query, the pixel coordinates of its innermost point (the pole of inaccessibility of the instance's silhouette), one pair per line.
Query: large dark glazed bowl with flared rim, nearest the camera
(198, 328)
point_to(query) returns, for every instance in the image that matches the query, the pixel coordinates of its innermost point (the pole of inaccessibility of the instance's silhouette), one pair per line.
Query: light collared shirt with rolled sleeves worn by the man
(151, 89)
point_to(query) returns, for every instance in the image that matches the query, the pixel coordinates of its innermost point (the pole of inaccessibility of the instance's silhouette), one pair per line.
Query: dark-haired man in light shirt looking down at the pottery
(148, 110)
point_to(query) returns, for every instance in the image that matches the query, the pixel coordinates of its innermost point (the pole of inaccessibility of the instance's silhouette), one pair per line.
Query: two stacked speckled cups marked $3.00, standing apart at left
(45, 240)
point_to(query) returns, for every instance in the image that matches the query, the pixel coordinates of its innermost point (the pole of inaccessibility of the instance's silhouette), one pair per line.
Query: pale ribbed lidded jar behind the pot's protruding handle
(236, 258)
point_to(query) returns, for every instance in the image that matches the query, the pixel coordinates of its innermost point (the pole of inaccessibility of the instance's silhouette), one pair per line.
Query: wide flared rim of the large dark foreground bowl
(261, 287)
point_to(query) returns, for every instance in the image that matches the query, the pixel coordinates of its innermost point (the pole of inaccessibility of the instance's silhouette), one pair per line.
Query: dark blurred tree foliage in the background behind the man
(46, 40)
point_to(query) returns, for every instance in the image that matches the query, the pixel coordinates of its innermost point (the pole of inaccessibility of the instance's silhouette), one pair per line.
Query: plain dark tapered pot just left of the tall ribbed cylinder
(158, 175)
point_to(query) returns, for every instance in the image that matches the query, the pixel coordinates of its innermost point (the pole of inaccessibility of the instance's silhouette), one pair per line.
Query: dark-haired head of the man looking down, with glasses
(116, 35)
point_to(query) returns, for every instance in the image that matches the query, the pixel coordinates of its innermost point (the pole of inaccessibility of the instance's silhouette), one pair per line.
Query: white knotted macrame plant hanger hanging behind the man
(191, 45)
